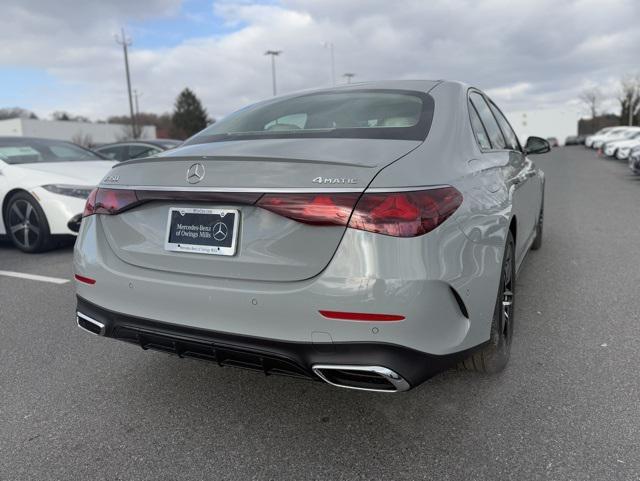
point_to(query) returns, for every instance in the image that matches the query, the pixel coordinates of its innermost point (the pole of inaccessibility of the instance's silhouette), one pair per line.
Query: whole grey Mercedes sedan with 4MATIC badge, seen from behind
(368, 236)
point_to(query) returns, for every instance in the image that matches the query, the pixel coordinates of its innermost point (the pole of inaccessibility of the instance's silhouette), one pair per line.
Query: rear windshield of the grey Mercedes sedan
(365, 114)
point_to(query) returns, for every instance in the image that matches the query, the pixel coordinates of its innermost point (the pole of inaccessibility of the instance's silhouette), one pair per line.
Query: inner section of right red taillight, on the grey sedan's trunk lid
(317, 209)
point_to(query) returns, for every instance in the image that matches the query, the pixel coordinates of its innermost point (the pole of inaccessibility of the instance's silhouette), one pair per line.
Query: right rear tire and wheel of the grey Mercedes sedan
(494, 356)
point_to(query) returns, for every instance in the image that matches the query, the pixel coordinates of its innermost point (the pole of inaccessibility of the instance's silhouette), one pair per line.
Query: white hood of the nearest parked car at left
(75, 172)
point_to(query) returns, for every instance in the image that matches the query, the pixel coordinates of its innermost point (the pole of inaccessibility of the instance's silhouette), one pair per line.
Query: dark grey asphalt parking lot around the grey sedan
(75, 406)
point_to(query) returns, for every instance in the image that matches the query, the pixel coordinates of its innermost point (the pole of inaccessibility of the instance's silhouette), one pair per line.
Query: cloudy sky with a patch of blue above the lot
(531, 56)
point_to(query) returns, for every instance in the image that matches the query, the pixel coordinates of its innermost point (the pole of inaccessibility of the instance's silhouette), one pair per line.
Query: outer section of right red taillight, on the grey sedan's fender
(405, 214)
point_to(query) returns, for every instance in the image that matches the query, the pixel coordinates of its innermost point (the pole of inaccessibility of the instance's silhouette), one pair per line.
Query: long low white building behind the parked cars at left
(79, 132)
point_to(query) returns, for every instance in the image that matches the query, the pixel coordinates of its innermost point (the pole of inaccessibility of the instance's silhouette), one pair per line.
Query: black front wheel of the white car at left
(26, 224)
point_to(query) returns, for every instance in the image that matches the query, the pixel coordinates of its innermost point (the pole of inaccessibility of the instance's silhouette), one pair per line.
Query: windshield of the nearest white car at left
(29, 151)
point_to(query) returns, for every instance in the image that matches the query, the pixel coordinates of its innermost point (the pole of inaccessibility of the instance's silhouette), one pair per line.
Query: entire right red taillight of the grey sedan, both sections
(398, 214)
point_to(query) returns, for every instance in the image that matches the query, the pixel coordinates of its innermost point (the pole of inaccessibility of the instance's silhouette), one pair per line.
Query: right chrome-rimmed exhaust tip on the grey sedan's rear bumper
(361, 378)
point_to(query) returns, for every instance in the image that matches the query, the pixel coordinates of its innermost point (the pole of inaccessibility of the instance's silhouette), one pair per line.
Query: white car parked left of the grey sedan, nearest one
(43, 188)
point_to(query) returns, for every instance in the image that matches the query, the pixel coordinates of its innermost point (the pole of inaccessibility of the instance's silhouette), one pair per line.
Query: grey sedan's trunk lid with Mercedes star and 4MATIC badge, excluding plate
(269, 247)
